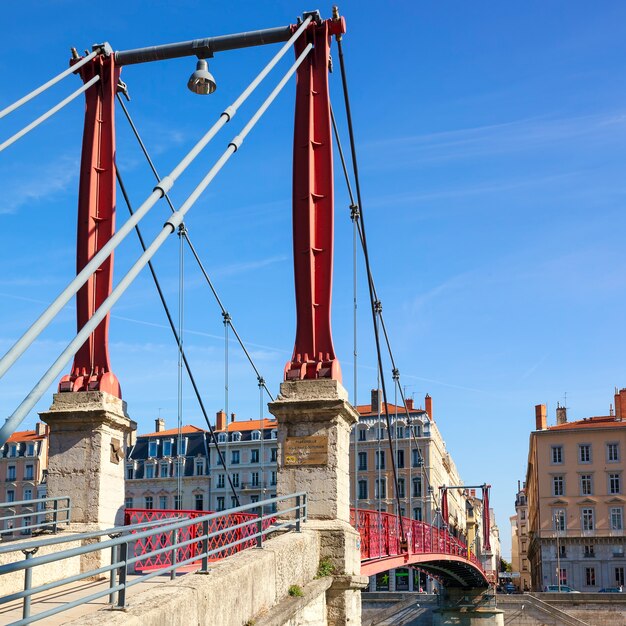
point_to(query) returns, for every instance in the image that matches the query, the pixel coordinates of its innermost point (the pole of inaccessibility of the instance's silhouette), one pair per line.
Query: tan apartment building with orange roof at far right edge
(575, 497)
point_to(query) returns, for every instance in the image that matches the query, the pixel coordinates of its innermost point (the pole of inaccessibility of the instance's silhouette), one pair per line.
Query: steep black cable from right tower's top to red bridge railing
(375, 304)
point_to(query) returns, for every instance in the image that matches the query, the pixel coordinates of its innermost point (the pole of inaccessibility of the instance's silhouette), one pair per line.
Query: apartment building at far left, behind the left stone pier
(23, 467)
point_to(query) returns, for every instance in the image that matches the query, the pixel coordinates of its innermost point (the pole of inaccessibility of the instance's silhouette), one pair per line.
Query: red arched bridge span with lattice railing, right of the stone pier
(428, 548)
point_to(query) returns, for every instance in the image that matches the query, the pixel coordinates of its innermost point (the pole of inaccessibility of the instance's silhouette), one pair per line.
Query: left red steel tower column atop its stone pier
(96, 224)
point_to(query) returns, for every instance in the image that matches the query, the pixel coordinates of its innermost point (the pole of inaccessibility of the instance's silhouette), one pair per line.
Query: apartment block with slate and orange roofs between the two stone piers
(168, 471)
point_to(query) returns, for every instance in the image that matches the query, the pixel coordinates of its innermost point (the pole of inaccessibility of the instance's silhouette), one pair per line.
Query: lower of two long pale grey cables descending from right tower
(170, 226)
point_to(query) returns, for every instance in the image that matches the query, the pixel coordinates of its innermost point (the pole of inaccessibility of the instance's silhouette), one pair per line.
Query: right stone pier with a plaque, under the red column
(314, 424)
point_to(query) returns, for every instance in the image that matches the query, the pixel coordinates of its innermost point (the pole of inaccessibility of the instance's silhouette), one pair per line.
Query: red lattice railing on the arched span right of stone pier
(381, 537)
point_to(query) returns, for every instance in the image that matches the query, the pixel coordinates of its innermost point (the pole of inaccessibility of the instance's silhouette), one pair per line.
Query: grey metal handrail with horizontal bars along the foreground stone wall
(121, 538)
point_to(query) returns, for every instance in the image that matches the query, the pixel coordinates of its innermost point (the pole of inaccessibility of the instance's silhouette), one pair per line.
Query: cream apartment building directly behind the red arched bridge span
(423, 465)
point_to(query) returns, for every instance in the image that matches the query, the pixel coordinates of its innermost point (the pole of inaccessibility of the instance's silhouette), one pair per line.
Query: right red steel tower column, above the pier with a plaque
(313, 208)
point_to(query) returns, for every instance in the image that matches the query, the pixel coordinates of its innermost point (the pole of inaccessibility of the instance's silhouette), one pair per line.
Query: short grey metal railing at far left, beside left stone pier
(47, 513)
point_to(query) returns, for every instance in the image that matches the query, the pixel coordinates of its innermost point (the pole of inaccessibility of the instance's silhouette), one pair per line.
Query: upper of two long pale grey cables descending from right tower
(159, 191)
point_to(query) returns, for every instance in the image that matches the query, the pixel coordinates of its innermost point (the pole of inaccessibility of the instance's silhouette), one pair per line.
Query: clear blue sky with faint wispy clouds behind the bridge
(491, 140)
